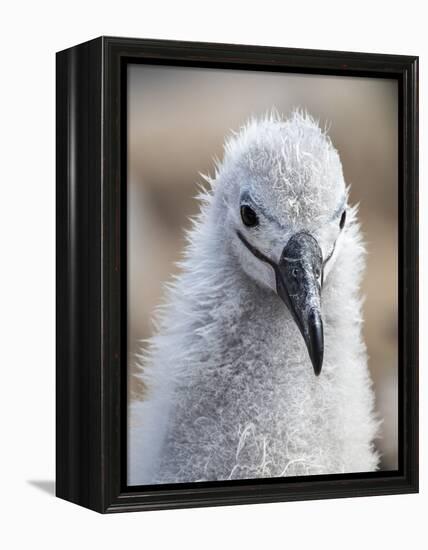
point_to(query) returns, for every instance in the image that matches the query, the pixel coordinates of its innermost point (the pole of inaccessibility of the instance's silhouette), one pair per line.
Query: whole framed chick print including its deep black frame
(237, 281)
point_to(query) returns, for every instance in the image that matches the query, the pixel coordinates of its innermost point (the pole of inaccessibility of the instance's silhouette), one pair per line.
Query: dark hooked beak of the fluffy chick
(298, 277)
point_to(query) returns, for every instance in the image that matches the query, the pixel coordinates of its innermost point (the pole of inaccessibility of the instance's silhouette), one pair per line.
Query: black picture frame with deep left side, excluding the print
(91, 273)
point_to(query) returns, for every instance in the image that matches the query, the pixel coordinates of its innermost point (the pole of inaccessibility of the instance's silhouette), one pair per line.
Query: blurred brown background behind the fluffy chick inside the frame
(177, 121)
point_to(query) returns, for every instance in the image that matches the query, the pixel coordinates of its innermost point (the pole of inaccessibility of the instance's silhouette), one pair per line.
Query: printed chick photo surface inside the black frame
(262, 275)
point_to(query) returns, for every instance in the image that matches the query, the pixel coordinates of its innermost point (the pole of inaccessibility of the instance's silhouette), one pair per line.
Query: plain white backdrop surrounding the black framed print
(30, 34)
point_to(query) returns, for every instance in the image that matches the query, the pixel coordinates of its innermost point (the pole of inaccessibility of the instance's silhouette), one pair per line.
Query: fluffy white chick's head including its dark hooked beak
(286, 199)
